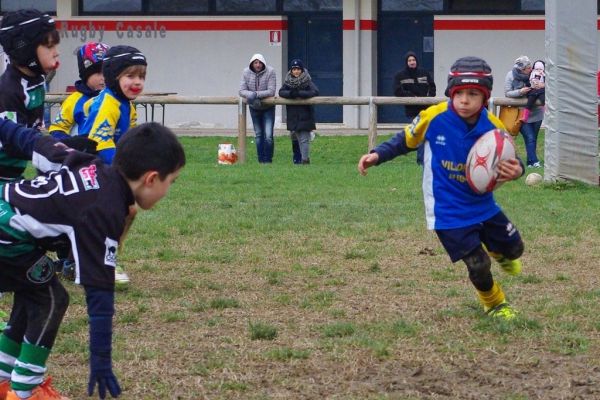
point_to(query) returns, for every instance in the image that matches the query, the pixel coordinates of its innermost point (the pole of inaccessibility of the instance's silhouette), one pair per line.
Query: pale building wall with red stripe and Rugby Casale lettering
(188, 56)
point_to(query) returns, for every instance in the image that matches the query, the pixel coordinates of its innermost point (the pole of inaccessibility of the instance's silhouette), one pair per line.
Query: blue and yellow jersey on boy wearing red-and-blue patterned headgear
(71, 117)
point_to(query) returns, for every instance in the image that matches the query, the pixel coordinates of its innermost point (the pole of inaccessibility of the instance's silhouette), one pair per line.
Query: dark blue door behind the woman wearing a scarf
(317, 40)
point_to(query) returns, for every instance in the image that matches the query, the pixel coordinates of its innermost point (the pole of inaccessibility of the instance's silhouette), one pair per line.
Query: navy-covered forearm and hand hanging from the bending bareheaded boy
(101, 309)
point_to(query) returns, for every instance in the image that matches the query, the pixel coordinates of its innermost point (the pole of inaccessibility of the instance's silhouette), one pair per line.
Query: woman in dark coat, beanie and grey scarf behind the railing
(300, 118)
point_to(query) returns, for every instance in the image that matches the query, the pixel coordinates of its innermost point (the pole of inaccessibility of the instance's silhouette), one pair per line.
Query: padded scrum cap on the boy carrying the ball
(470, 72)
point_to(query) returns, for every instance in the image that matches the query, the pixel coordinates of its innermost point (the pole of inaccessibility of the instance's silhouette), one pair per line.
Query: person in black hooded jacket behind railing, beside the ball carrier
(413, 81)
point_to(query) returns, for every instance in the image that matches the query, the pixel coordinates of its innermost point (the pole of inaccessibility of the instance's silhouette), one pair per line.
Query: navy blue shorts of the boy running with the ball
(498, 234)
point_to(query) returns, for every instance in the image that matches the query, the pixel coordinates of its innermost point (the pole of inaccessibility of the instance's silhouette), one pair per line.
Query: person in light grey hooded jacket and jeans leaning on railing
(259, 81)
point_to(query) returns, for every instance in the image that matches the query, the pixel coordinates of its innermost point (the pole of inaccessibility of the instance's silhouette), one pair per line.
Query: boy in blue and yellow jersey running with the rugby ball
(470, 226)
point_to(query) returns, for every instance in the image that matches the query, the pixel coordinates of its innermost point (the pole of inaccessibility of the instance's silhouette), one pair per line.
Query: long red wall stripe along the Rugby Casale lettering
(174, 25)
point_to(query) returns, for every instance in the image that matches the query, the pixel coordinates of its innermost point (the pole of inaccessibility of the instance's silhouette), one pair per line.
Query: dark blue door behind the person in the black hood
(396, 35)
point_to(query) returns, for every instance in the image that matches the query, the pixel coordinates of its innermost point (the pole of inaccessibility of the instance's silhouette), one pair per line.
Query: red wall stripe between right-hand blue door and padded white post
(489, 25)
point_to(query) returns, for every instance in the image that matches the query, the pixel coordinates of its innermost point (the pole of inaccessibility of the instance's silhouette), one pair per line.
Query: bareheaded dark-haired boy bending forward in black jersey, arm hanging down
(78, 201)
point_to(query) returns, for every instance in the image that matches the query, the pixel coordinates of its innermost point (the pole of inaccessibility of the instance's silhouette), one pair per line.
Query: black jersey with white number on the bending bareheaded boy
(77, 198)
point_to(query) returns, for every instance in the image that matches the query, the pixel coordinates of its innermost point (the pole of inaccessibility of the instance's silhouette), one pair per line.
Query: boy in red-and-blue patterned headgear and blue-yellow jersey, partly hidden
(71, 115)
